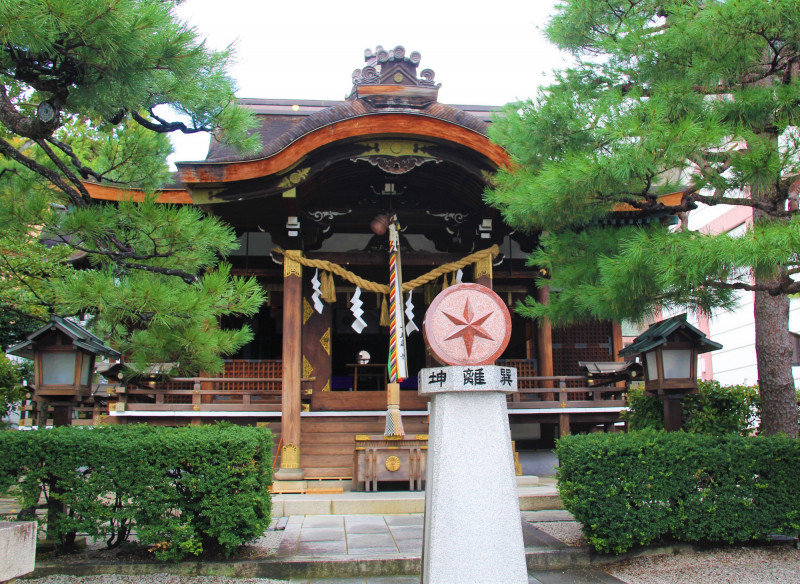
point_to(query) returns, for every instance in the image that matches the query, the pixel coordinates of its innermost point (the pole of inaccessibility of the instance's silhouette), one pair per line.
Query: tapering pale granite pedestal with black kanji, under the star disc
(473, 528)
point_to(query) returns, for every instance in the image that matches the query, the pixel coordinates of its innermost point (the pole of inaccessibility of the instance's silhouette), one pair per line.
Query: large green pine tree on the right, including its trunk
(698, 97)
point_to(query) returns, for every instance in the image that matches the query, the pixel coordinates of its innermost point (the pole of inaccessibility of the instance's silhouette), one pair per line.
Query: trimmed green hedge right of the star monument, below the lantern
(644, 487)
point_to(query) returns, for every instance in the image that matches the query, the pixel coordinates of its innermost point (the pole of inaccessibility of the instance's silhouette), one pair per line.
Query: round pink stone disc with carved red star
(467, 324)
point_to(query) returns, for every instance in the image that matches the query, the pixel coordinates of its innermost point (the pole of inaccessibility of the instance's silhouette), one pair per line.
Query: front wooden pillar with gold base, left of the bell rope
(292, 365)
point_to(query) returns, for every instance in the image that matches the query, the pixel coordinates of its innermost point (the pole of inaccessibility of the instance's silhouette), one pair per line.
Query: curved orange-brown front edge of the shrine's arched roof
(367, 125)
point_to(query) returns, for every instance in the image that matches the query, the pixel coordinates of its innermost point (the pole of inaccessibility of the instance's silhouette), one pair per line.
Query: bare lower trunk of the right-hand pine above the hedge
(774, 356)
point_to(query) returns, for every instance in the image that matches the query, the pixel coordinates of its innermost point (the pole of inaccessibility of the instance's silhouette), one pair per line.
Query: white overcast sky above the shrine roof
(488, 54)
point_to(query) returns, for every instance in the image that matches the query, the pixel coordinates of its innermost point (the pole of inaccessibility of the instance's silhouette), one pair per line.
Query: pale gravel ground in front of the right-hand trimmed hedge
(734, 565)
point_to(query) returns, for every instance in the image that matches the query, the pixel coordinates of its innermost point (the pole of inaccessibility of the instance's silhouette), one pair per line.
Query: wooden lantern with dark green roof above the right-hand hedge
(669, 351)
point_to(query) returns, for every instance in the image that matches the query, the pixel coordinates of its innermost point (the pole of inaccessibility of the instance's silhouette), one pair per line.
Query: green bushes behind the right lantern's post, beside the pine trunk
(715, 409)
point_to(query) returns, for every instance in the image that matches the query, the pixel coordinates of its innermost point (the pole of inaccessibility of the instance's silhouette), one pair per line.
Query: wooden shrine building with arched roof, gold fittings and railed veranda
(309, 209)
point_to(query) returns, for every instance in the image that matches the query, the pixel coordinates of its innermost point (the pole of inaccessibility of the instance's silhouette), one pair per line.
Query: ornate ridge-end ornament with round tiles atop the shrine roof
(392, 75)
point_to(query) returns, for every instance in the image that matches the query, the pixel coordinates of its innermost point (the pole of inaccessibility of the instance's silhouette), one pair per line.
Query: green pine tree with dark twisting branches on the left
(89, 90)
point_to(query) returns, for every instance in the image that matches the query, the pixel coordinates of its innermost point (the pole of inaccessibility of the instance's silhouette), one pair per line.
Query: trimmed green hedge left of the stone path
(185, 490)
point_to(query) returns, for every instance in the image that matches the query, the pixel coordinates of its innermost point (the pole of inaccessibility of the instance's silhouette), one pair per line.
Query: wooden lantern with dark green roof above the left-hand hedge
(63, 355)
